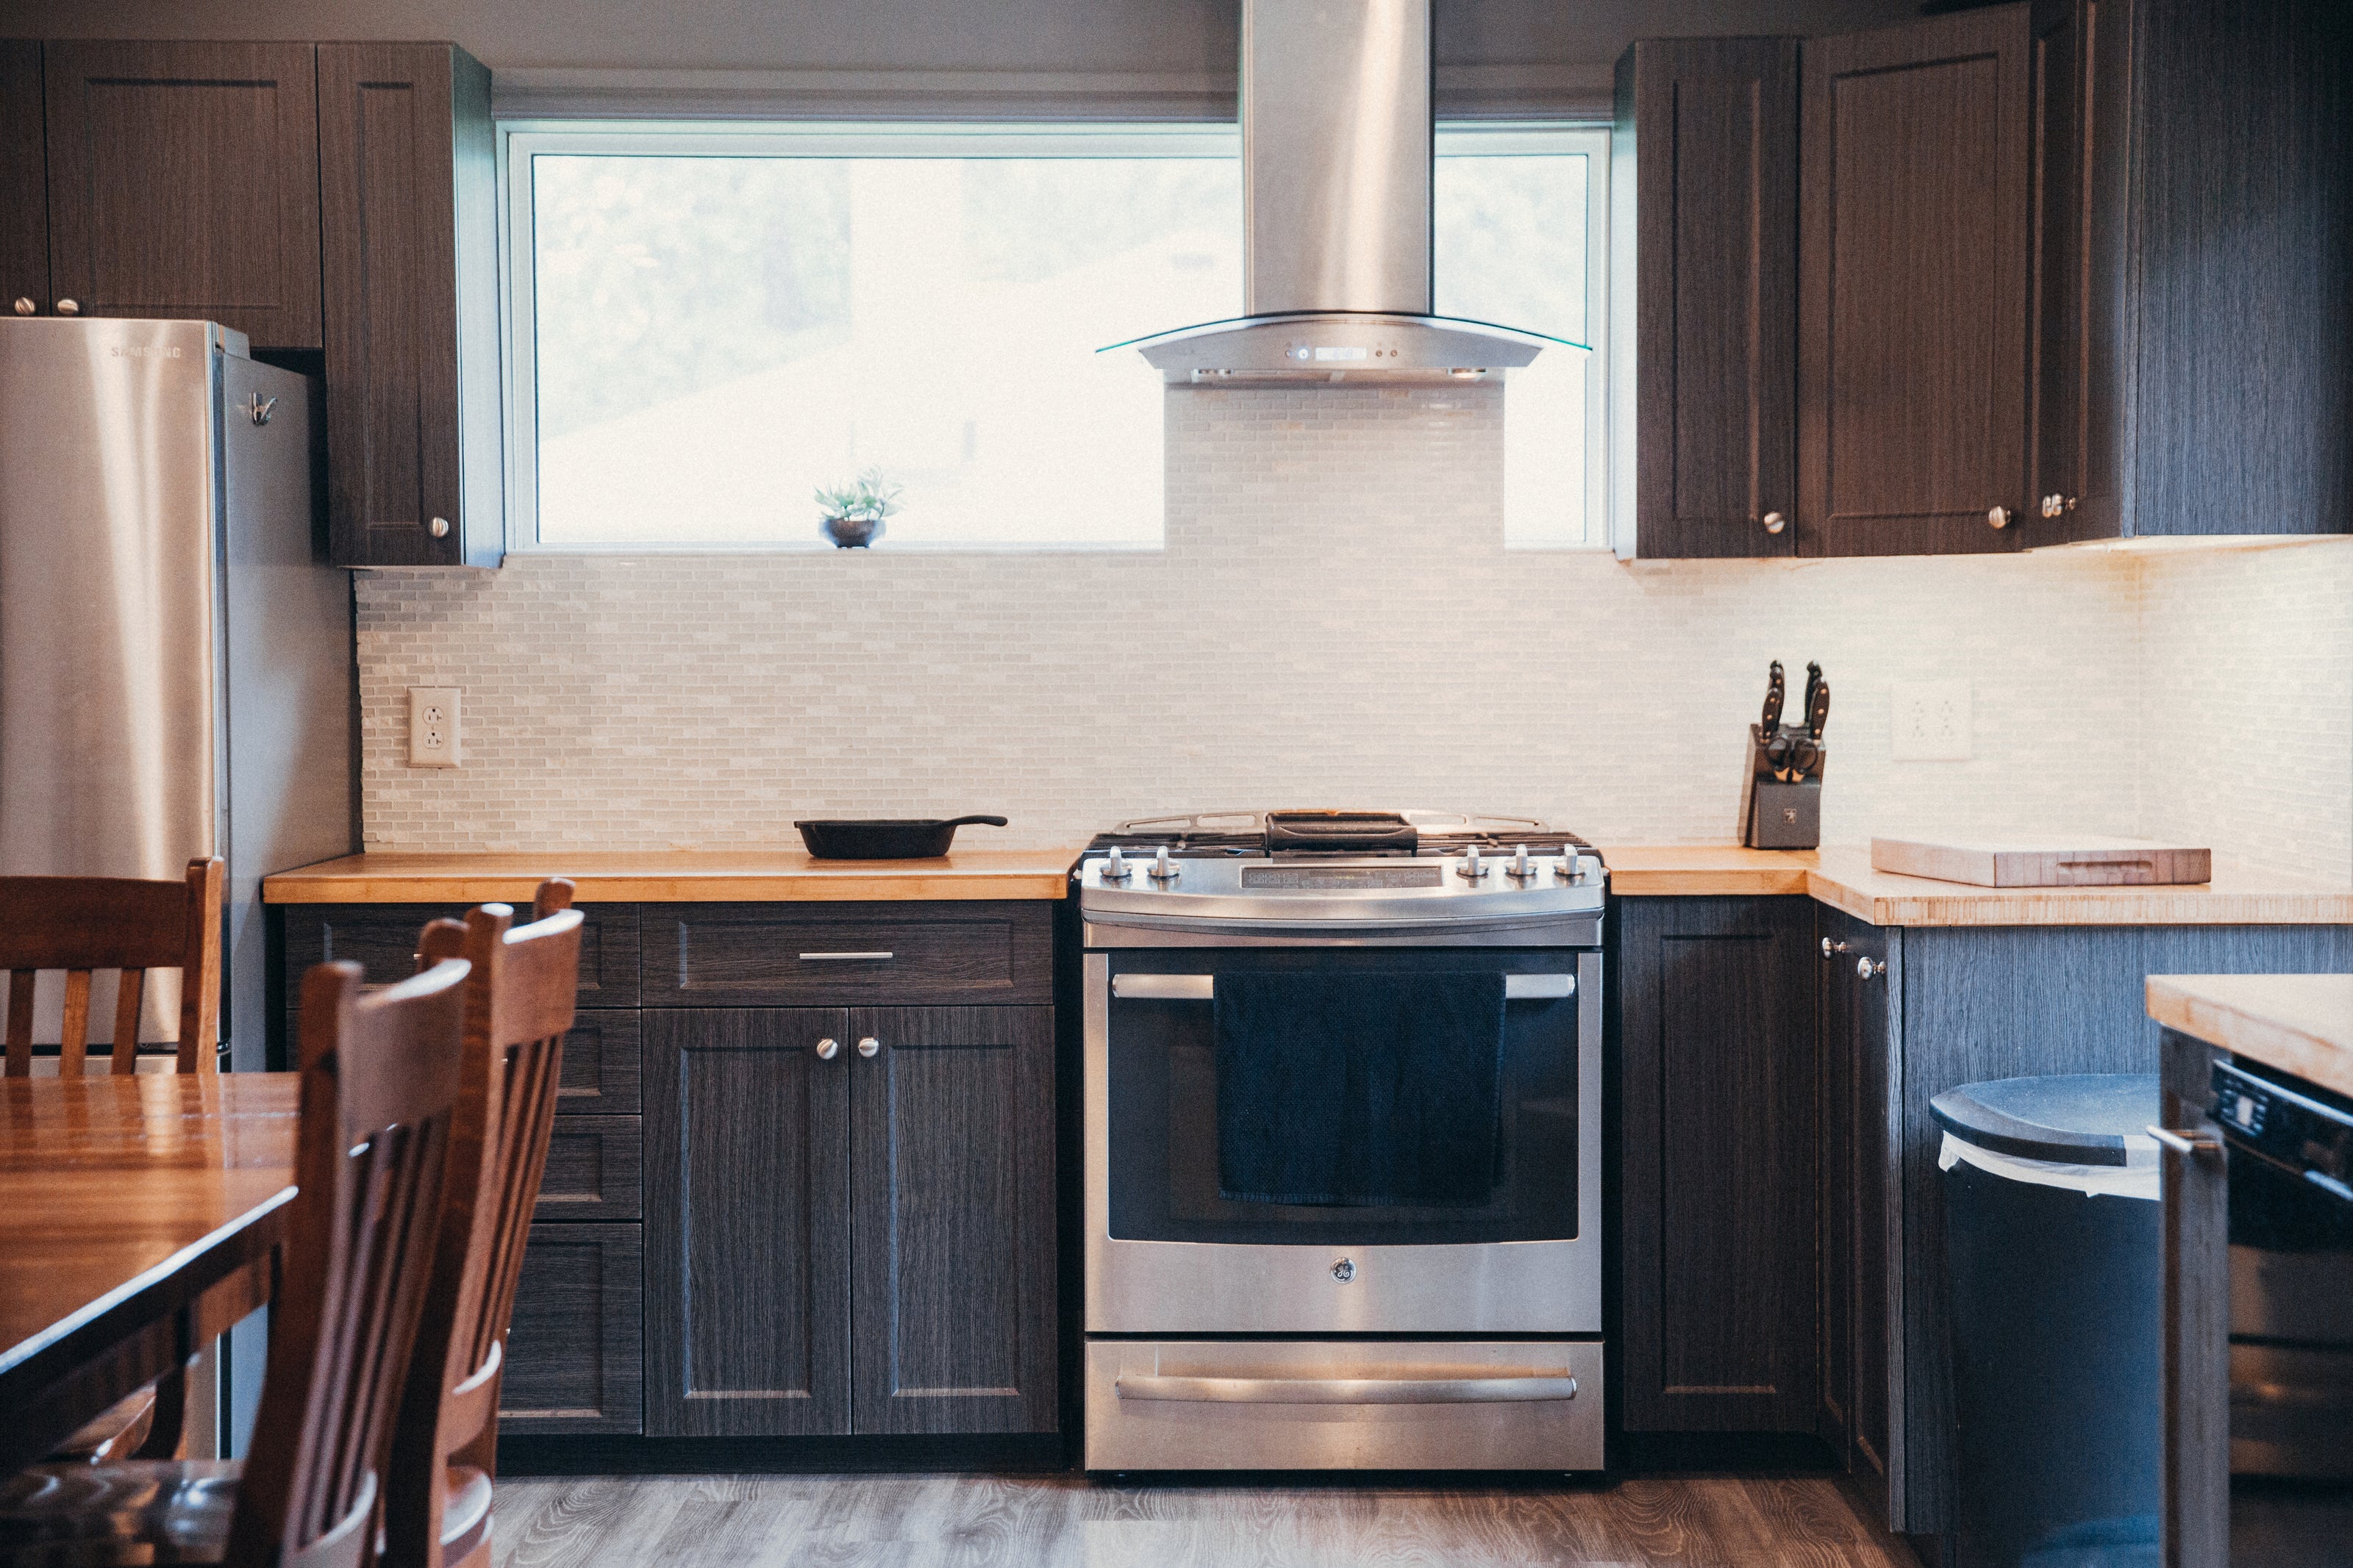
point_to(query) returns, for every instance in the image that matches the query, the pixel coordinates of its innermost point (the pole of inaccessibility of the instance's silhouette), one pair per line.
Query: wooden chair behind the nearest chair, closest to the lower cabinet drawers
(519, 1010)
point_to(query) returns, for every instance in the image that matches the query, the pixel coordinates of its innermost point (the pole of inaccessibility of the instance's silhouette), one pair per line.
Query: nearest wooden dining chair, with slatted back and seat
(380, 1087)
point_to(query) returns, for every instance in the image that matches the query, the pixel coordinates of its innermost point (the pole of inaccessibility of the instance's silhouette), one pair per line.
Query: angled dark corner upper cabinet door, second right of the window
(1912, 297)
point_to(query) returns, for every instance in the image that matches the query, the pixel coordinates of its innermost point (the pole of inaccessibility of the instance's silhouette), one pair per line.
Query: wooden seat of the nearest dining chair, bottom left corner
(107, 1515)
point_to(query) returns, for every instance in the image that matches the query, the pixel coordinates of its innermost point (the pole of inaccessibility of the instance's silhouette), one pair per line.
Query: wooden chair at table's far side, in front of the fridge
(84, 925)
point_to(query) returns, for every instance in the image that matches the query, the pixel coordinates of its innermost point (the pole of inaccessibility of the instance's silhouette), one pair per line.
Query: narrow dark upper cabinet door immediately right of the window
(1714, 123)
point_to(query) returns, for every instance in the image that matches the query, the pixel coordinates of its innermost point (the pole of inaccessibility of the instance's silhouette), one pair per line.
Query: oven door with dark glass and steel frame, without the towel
(1168, 1254)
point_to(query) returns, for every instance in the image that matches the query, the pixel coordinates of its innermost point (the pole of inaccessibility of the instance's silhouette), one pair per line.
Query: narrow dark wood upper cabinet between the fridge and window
(408, 177)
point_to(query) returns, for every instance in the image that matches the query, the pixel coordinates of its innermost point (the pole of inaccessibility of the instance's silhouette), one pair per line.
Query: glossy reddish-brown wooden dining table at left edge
(140, 1217)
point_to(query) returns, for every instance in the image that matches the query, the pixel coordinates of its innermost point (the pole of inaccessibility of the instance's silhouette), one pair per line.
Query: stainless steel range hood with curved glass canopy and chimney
(1338, 213)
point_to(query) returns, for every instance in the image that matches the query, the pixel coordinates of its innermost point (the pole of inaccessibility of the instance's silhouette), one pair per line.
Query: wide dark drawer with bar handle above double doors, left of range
(801, 956)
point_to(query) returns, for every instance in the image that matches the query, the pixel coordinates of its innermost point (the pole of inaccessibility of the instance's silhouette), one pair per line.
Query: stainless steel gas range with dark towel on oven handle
(1342, 1144)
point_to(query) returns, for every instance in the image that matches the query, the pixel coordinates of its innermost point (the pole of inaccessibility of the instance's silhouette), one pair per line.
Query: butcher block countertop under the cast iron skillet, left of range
(707, 876)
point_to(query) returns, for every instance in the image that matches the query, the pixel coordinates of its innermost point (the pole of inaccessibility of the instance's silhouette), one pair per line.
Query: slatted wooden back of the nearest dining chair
(380, 1092)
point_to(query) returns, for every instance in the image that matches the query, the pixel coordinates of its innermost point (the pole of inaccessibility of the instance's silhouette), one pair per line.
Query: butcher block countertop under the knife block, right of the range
(1841, 878)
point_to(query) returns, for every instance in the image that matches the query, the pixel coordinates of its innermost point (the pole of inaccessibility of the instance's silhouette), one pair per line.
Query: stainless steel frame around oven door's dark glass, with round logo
(1192, 1287)
